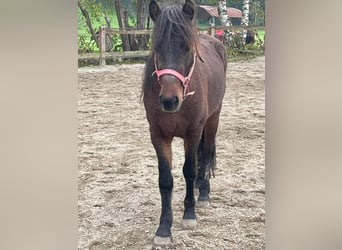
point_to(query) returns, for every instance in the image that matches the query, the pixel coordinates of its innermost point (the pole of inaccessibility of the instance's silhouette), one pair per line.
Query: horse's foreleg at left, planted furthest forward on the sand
(164, 154)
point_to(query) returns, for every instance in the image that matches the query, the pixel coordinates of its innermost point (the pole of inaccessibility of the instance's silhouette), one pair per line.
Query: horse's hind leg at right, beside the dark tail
(206, 160)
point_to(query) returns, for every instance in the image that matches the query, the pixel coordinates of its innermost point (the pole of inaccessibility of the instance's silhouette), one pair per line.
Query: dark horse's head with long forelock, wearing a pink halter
(174, 50)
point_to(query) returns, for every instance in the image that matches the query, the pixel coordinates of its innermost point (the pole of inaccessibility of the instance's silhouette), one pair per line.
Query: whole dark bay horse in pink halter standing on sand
(183, 87)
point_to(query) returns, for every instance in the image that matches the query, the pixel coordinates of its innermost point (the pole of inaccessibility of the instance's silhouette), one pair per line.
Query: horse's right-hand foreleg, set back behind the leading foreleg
(189, 172)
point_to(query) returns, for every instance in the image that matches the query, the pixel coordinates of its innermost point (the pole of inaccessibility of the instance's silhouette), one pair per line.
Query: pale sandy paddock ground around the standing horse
(119, 201)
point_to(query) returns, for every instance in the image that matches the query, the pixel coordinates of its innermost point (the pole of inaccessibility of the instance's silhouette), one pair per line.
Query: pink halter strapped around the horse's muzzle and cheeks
(184, 80)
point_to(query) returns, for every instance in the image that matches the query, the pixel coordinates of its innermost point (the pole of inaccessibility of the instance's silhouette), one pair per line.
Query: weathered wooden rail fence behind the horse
(103, 31)
